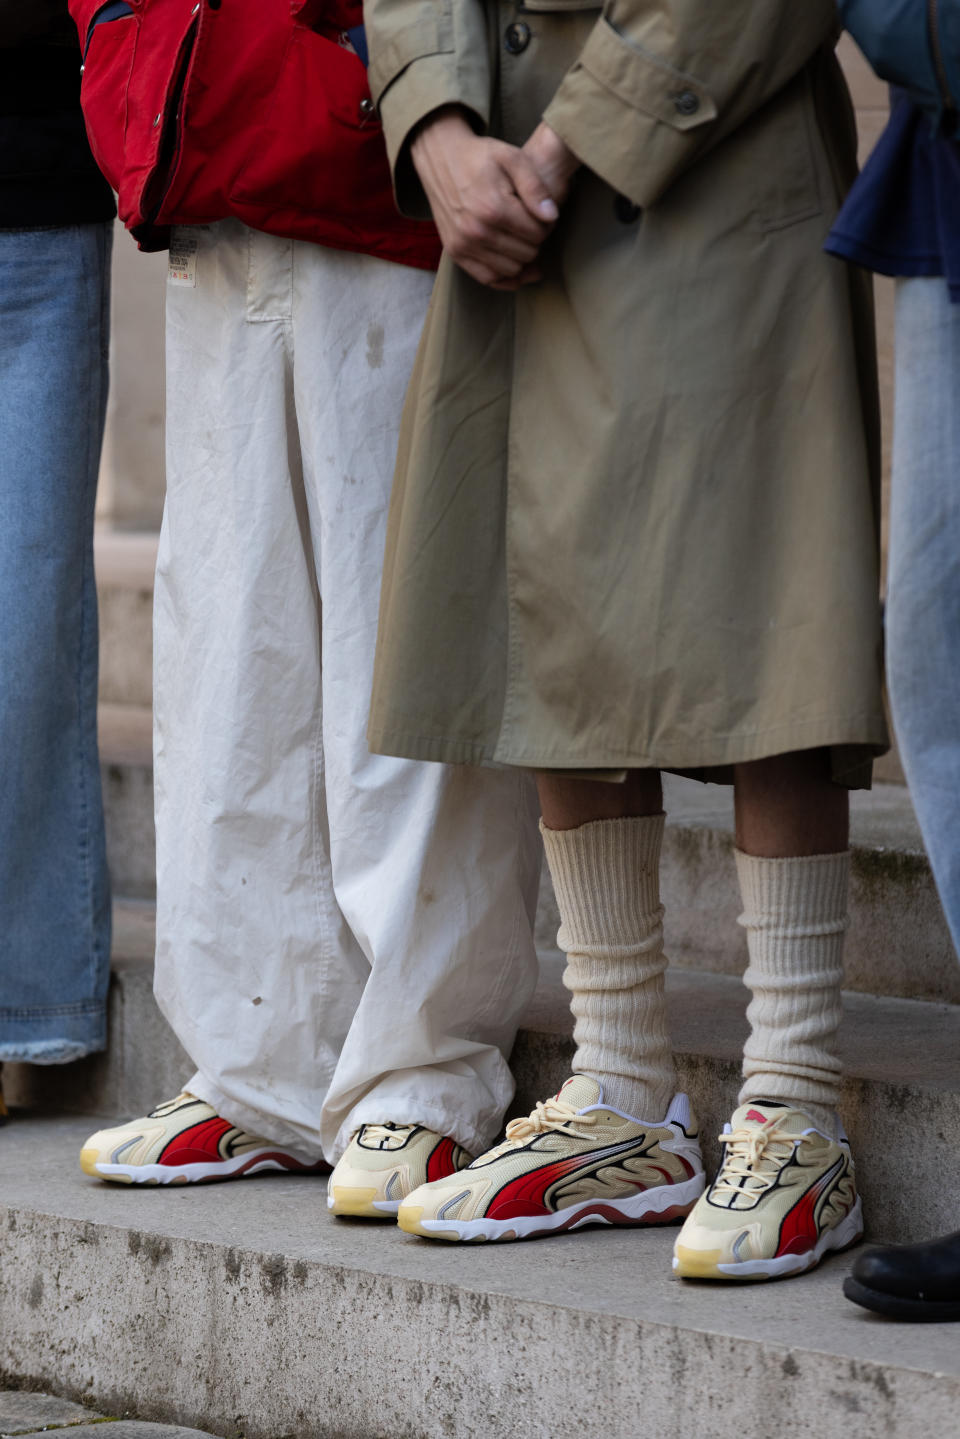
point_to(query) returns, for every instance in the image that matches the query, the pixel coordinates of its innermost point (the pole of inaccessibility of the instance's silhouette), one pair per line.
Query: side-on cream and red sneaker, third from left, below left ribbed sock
(574, 1162)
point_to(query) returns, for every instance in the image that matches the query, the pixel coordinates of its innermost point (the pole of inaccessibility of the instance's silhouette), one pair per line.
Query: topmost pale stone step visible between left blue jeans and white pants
(126, 594)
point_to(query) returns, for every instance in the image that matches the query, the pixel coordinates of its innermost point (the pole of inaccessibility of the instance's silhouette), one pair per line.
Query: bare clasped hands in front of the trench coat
(493, 204)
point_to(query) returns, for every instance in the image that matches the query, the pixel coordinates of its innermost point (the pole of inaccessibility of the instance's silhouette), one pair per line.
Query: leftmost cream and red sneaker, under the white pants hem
(184, 1142)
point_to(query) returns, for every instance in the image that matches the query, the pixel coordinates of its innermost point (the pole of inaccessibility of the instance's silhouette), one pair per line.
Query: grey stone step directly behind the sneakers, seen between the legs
(902, 1100)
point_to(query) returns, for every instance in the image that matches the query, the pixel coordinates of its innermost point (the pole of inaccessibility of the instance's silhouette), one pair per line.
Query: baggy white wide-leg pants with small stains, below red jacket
(342, 938)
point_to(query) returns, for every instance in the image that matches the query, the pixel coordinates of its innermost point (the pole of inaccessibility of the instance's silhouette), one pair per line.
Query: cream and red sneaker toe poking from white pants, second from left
(384, 1163)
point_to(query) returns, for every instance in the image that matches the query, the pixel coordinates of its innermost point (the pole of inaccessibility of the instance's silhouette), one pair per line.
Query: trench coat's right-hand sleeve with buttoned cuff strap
(661, 81)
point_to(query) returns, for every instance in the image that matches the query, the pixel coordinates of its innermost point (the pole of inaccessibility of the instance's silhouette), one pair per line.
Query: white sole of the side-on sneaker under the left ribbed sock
(651, 1207)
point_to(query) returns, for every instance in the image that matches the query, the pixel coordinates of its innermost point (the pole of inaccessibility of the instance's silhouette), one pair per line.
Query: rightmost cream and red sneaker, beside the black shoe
(784, 1198)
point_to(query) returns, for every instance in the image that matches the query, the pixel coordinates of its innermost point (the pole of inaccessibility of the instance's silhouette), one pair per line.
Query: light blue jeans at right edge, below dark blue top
(923, 602)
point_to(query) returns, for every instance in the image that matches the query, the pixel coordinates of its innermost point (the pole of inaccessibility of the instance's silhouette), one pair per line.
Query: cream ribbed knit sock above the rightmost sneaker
(795, 916)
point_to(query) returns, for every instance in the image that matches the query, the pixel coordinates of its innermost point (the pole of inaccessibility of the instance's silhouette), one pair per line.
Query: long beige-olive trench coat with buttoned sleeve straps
(635, 510)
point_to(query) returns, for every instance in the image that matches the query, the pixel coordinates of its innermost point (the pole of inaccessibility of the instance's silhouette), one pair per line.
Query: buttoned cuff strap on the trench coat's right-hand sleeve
(647, 83)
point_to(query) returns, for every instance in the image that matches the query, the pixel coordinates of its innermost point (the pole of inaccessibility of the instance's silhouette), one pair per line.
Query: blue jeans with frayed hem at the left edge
(54, 886)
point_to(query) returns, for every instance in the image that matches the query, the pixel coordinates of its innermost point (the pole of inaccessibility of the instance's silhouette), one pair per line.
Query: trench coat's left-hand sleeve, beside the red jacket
(425, 54)
